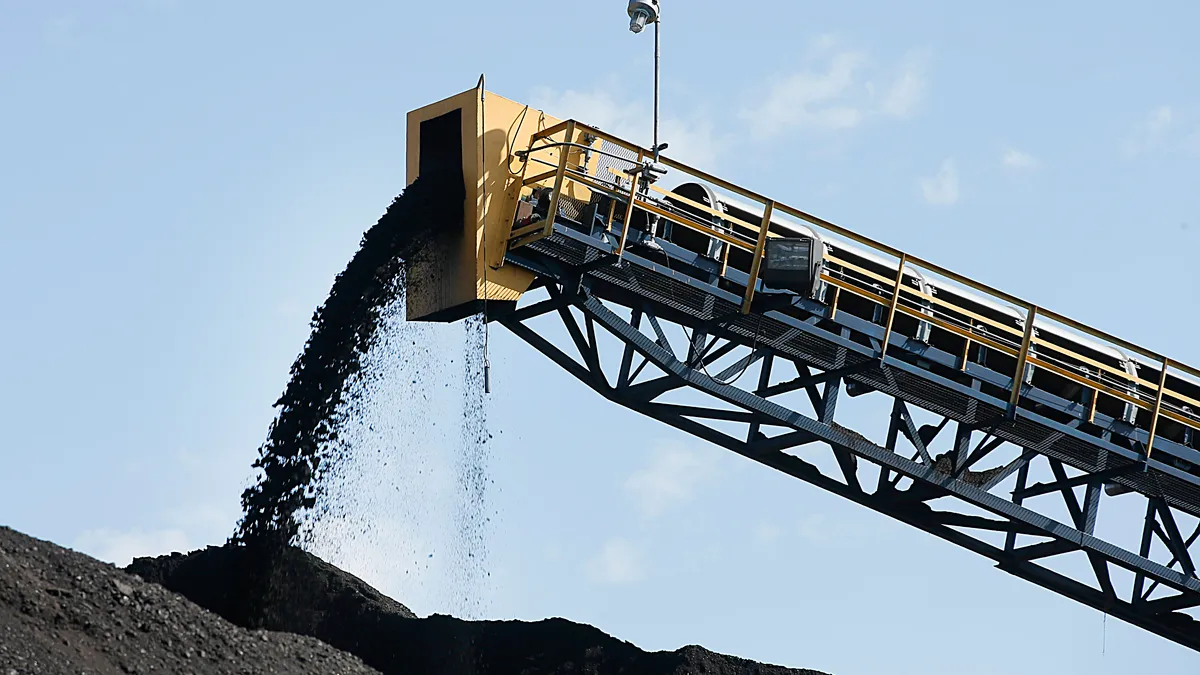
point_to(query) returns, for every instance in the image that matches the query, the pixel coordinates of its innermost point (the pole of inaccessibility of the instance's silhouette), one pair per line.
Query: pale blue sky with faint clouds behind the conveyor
(182, 181)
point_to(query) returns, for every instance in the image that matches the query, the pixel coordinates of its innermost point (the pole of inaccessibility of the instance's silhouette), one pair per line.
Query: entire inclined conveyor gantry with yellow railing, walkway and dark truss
(999, 428)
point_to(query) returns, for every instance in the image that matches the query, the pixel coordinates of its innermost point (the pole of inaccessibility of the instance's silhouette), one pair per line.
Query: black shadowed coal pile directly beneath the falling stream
(314, 599)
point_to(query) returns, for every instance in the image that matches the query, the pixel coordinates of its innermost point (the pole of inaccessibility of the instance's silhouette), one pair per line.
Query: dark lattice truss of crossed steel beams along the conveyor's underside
(951, 476)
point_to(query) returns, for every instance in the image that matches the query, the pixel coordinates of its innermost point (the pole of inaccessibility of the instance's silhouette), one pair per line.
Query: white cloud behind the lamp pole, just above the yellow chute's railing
(692, 140)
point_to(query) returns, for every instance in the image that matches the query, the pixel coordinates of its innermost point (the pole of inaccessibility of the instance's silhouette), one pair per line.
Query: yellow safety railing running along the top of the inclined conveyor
(575, 140)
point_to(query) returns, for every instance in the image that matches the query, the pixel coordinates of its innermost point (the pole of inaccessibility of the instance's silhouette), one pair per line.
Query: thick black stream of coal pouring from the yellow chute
(344, 331)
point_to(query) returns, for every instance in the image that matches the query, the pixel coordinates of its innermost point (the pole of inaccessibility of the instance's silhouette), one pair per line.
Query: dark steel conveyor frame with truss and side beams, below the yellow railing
(805, 347)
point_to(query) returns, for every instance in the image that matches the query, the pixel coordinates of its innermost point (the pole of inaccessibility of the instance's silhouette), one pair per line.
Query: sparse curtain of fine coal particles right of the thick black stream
(404, 503)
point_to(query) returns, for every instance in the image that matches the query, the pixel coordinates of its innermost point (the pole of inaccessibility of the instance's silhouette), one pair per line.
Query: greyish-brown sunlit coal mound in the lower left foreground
(65, 613)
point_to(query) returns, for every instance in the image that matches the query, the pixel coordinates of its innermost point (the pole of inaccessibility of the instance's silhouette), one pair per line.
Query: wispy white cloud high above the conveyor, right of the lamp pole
(832, 92)
